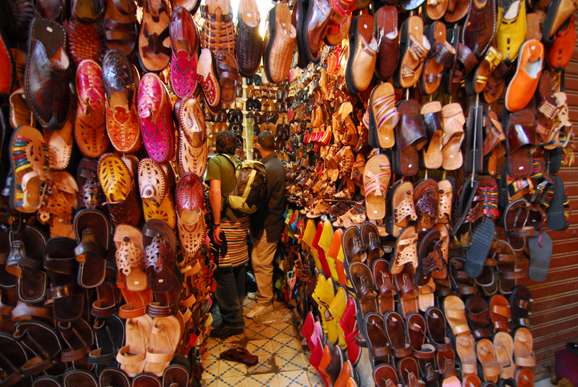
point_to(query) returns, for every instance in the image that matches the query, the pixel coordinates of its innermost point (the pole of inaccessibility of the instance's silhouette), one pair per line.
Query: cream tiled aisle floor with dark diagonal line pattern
(282, 362)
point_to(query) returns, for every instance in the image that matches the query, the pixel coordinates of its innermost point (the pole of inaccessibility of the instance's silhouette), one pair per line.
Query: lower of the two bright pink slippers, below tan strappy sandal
(156, 118)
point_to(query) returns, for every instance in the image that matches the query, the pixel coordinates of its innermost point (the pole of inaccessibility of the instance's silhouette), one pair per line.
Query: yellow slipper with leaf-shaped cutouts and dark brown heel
(118, 185)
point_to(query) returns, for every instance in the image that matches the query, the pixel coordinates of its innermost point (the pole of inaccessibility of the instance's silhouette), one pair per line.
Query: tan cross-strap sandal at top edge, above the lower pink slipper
(154, 55)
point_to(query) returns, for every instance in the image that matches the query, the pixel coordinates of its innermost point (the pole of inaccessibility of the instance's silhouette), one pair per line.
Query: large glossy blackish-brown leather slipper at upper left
(47, 74)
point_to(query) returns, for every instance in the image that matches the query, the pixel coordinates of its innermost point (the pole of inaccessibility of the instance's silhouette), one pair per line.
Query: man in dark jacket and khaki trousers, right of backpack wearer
(268, 227)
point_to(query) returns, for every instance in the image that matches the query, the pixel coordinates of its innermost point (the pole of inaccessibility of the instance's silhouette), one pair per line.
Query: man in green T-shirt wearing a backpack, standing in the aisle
(230, 274)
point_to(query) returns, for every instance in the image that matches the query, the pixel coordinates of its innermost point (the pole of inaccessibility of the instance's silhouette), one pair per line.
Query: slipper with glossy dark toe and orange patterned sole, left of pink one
(121, 81)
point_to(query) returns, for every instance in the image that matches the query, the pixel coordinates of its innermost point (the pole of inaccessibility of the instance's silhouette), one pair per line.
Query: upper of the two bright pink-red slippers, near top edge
(184, 43)
